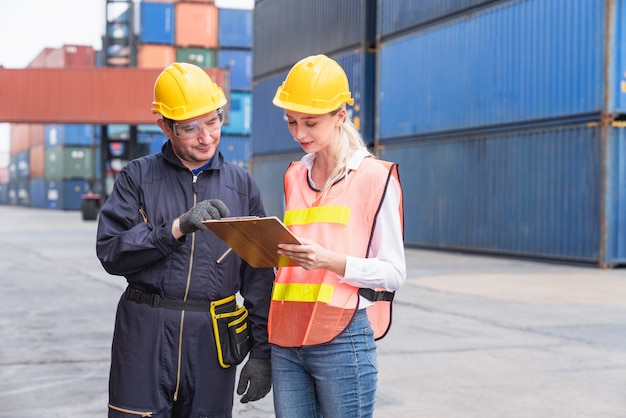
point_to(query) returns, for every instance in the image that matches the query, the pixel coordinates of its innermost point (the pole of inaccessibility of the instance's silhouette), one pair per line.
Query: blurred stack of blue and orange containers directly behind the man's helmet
(203, 34)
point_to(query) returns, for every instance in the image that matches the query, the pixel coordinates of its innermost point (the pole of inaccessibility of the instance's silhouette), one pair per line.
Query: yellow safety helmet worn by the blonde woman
(315, 85)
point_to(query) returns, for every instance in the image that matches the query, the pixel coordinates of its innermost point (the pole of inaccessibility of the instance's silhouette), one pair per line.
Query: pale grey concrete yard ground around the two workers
(473, 336)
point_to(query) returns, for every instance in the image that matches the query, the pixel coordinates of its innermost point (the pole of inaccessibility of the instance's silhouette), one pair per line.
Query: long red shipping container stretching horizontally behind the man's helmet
(98, 95)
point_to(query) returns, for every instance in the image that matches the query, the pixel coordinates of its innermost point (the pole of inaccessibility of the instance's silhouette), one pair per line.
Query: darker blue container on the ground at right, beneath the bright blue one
(544, 192)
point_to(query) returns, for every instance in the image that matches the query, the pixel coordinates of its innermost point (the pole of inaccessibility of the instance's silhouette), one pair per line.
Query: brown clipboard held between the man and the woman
(255, 239)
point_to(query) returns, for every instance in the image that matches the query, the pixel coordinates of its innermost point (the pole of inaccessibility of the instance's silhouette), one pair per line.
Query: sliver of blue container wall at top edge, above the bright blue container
(395, 16)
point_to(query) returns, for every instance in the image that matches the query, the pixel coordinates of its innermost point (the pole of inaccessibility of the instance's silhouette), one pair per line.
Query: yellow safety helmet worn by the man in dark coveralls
(184, 91)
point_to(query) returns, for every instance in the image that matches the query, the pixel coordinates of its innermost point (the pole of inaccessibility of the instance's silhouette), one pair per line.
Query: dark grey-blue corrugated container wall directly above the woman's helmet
(285, 31)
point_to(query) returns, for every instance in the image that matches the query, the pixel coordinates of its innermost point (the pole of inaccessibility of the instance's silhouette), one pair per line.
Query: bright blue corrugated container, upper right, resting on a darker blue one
(518, 62)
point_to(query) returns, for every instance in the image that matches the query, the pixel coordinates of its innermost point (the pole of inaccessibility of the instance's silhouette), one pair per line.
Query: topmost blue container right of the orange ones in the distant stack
(235, 28)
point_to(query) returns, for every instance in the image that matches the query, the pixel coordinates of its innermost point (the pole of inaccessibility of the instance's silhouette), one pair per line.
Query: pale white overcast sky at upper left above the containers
(29, 26)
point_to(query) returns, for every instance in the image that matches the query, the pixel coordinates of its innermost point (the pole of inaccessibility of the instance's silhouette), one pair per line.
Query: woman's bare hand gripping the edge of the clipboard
(309, 255)
